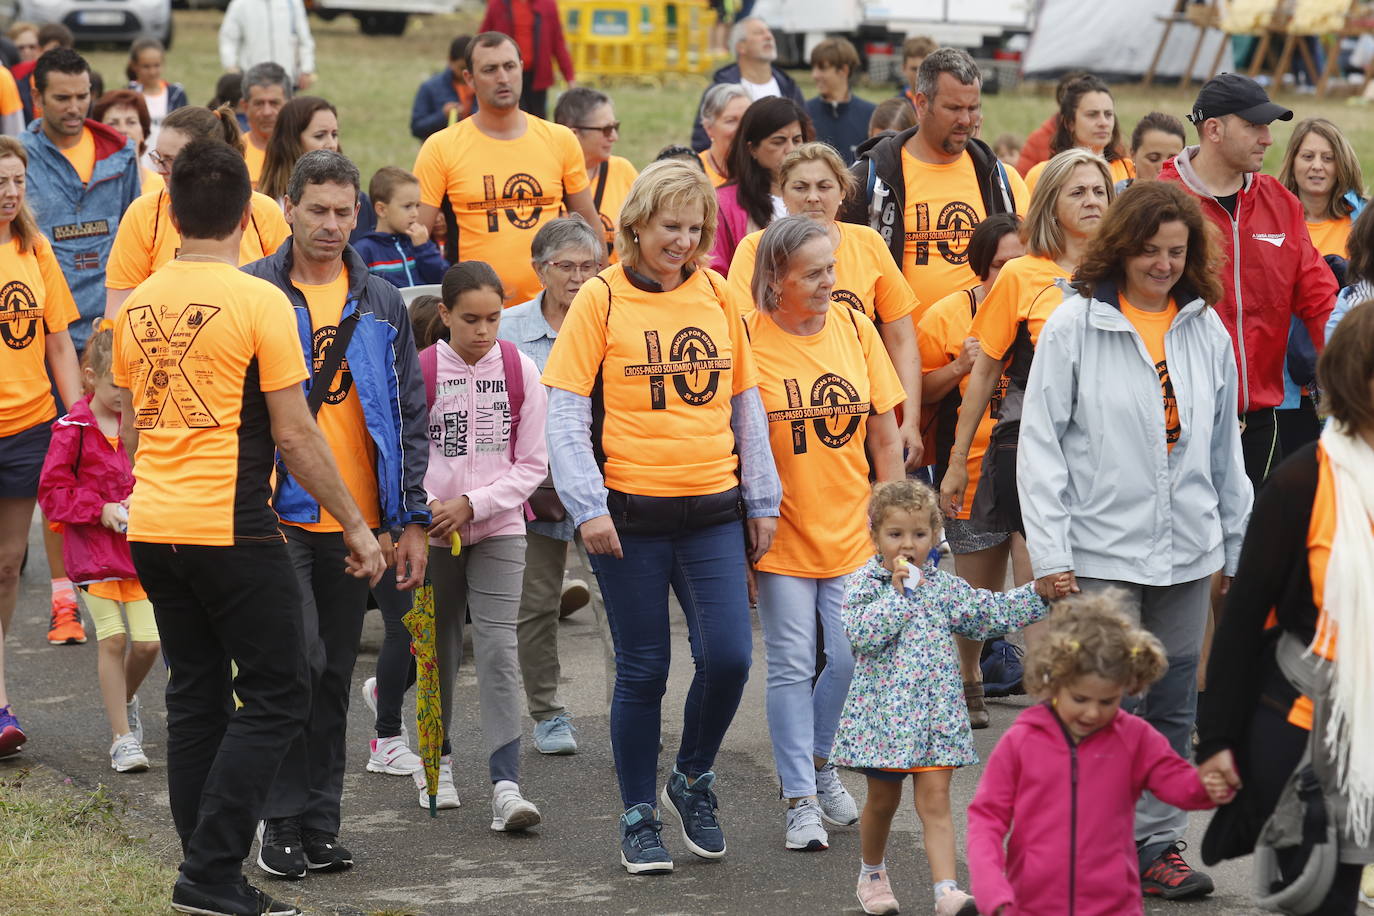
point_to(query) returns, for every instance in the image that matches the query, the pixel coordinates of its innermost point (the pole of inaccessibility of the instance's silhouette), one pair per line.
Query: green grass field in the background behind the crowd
(373, 80)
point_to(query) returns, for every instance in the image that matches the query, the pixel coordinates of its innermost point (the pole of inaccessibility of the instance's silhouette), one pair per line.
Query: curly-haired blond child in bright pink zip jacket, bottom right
(1066, 778)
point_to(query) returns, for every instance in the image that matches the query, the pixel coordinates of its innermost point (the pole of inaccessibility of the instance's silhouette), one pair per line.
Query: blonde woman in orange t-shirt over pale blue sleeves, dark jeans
(660, 453)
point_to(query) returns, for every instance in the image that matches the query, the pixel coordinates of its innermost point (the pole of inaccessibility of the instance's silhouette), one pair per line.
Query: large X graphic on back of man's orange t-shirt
(167, 376)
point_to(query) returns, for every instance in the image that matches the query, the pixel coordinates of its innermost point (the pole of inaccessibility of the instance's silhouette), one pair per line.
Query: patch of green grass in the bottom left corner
(67, 851)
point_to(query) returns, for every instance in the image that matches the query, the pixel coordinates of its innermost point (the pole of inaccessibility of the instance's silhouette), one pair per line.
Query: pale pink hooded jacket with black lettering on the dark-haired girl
(471, 453)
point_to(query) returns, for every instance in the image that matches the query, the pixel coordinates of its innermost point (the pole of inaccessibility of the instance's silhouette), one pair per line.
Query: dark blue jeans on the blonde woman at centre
(707, 572)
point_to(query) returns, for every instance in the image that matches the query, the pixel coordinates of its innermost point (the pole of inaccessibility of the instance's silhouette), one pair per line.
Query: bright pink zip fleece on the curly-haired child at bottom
(1071, 812)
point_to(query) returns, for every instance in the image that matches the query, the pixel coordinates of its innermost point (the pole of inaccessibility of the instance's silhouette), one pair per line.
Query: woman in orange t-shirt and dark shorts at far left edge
(35, 314)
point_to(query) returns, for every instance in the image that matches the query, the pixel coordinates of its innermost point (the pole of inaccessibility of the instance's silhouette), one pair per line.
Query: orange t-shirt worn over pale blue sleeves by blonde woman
(668, 365)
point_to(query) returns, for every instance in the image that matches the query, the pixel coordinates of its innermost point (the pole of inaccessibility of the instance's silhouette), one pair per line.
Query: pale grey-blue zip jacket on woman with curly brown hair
(1101, 494)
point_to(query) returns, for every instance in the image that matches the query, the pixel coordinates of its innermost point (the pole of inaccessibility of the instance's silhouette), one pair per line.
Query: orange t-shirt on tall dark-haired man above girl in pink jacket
(502, 192)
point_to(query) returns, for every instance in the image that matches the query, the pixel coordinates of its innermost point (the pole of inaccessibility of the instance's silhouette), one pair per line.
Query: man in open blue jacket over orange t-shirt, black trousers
(370, 406)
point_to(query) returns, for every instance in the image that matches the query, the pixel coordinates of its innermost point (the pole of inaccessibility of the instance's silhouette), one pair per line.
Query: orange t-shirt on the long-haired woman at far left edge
(35, 301)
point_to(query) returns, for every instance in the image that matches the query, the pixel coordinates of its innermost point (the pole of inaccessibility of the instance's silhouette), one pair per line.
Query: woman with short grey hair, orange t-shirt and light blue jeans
(829, 391)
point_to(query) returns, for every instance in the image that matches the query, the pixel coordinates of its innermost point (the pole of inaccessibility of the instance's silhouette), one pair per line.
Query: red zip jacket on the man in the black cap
(1273, 274)
